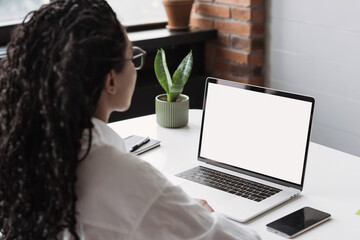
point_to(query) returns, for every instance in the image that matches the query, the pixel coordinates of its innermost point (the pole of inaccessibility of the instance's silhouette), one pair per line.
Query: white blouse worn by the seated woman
(120, 196)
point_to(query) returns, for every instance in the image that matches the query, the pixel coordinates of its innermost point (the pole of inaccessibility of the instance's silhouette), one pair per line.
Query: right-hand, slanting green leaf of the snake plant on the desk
(180, 77)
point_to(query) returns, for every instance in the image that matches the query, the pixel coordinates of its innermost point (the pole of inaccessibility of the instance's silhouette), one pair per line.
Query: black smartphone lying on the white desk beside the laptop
(298, 222)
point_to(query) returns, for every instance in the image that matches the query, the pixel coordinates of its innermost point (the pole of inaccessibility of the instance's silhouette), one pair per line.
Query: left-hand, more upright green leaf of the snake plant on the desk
(161, 70)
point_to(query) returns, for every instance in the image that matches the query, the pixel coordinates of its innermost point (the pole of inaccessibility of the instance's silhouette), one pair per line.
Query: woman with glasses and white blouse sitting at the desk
(64, 173)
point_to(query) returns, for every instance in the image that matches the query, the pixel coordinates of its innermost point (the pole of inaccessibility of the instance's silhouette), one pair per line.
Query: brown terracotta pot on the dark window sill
(178, 13)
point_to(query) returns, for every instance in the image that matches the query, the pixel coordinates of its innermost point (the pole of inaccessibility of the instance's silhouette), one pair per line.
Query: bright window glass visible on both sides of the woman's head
(132, 12)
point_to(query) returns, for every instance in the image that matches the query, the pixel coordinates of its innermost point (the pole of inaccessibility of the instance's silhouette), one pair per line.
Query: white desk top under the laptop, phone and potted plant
(332, 180)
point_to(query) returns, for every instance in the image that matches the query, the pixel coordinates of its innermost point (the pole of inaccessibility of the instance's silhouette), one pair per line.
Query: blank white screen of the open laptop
(259, 132)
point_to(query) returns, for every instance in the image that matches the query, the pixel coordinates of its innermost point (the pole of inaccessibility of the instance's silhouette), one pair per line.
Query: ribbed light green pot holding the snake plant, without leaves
(172, 114)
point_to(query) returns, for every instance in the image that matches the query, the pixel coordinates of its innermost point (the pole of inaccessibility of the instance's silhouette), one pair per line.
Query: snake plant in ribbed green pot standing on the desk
(172, 108)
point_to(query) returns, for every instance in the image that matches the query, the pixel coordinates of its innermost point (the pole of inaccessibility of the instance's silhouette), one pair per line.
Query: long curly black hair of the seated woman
(50, 83)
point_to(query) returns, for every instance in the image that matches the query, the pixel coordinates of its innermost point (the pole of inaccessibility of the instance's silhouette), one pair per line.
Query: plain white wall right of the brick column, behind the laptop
(313, 47)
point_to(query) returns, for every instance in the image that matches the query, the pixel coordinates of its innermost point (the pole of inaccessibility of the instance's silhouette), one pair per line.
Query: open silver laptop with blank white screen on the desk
(252, 150)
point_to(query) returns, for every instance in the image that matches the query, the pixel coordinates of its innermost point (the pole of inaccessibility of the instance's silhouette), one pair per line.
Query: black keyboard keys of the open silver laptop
(229, 183)
